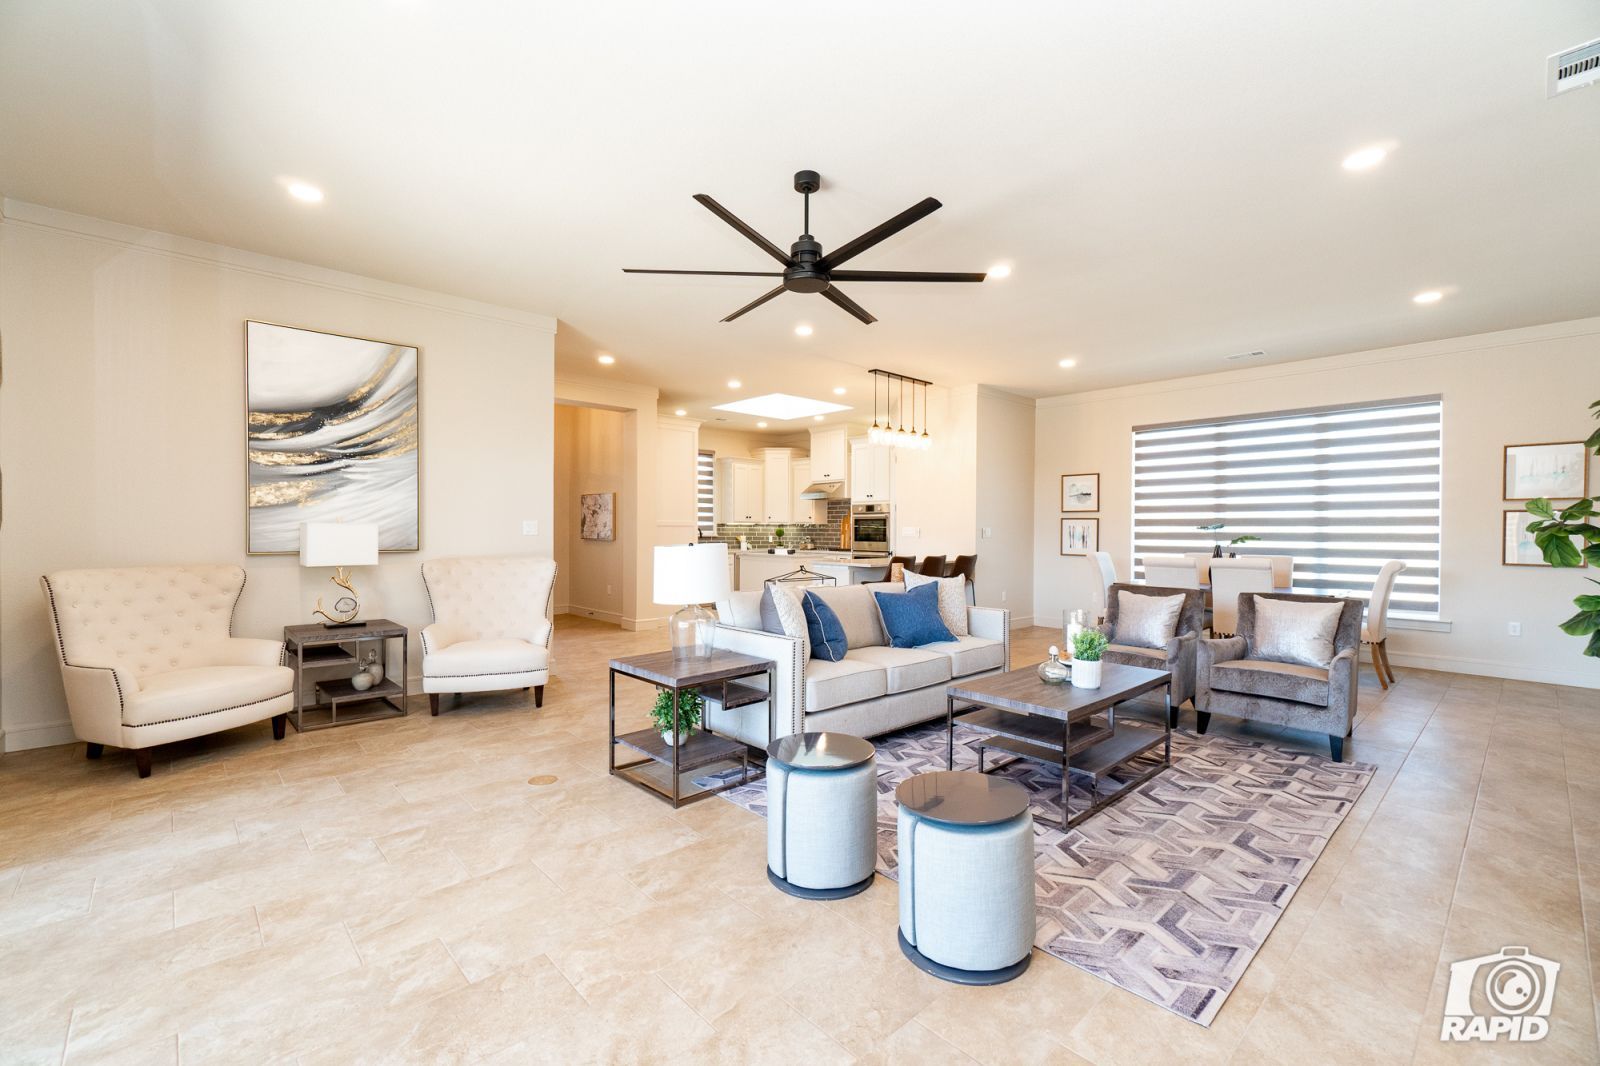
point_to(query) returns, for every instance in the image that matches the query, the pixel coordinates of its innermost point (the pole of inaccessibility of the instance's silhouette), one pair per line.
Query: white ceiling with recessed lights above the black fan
(1164, 177)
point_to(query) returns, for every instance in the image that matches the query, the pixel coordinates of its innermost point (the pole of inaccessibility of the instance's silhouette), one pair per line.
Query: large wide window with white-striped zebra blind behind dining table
(1340, 489)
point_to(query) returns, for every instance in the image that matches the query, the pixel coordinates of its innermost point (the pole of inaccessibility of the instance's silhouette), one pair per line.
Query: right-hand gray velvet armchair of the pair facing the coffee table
(1233, 681)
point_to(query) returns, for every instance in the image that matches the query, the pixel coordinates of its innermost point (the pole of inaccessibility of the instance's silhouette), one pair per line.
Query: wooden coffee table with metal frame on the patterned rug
(1074, 729)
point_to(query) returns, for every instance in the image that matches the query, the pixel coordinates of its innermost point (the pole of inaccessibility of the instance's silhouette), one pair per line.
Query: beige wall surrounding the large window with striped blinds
(1500, 388)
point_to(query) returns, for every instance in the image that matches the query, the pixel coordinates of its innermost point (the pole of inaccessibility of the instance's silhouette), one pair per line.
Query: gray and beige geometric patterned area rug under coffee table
(1172, 892)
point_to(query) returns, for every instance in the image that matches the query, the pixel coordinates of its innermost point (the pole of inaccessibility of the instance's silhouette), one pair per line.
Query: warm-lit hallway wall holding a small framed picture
(588, 460)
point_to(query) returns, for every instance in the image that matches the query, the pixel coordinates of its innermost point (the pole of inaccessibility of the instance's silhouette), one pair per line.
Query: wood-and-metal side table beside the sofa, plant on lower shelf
(702, 748)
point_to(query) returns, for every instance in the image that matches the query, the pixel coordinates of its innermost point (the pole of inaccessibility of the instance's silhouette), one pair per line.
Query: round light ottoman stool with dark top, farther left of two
(822, 816)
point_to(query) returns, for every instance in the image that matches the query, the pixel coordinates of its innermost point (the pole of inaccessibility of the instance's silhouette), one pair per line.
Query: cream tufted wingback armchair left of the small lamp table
(148, 657)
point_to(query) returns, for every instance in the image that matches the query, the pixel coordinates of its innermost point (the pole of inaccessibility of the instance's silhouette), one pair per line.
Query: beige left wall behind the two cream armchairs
(122, 427)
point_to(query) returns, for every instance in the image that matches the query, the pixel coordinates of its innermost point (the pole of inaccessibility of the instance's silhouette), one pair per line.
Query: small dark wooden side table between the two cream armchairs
(316, 647)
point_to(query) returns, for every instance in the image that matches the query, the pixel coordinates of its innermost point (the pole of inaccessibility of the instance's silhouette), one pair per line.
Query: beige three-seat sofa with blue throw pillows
(874, 689)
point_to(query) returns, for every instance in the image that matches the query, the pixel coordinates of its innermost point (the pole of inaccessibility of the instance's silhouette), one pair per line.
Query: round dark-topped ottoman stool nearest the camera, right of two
(966, 876)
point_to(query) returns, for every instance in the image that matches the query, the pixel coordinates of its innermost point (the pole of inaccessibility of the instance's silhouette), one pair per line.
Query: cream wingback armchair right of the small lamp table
(492, 625)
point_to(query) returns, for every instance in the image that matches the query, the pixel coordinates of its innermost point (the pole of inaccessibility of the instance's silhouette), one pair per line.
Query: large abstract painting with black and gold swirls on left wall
(332, 436)
